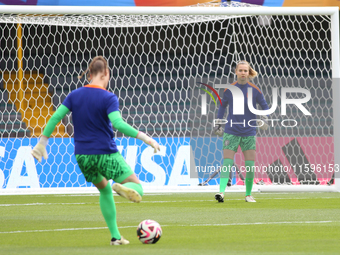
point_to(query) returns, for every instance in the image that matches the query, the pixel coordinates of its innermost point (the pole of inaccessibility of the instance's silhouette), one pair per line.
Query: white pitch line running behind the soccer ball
(189, 225)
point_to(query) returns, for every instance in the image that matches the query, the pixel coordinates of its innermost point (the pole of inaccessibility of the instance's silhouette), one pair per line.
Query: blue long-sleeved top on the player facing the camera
(242, 129)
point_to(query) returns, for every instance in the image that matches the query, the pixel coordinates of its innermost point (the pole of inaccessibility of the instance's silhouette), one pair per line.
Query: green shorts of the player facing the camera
(231, 142)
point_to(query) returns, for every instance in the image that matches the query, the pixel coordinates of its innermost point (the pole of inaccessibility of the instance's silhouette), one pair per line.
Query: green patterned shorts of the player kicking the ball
(111, 166)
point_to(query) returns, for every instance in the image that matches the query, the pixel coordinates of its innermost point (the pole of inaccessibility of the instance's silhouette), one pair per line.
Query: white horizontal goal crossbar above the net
(131, 10)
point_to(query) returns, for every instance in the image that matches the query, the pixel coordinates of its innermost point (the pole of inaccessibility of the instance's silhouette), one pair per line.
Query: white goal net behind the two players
(159, 62)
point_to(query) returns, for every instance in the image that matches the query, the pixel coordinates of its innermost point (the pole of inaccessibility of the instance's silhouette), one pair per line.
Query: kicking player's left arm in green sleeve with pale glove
(39, 150)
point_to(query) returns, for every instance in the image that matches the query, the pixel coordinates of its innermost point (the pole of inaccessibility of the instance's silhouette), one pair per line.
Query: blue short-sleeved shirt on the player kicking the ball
(90, 106)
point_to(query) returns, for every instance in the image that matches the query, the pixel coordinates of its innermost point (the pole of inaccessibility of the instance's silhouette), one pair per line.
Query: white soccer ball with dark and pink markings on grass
(149, 231)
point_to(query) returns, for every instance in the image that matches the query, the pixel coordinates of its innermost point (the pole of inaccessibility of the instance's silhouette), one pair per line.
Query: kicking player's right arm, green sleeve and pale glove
(123, 127)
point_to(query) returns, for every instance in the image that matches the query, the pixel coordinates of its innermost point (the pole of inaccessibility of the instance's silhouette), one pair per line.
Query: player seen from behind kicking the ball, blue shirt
(93, 110)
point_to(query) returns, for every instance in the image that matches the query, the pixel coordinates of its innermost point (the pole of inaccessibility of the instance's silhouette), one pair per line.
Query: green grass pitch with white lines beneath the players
(192, 223)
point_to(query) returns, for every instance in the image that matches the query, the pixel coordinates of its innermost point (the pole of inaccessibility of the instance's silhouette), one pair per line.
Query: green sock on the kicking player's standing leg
(108, 208)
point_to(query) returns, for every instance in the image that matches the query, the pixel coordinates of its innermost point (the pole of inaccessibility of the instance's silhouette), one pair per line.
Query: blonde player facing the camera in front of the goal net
(237, 131)
